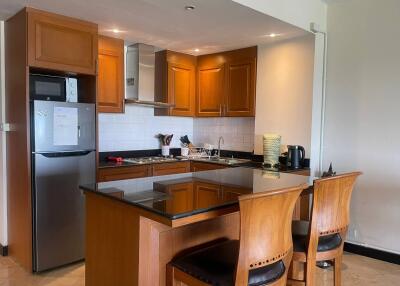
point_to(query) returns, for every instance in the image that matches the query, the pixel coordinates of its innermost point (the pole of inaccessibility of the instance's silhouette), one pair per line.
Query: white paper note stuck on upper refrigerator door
(65, 126)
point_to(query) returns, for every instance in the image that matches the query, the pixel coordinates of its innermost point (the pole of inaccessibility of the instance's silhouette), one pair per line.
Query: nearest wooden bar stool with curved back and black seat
(261, 256)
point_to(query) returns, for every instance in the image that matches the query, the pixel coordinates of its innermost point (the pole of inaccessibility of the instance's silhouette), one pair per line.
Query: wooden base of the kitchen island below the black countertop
(127, 246)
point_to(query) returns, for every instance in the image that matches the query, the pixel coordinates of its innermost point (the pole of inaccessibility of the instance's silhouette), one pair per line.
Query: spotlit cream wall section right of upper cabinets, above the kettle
(285, 92)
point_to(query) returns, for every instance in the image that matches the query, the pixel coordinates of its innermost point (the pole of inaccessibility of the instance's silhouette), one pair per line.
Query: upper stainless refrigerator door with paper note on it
(63, 126)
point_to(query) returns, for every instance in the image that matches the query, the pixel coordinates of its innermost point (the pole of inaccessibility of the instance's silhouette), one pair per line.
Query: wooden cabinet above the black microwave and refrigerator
(61, 43)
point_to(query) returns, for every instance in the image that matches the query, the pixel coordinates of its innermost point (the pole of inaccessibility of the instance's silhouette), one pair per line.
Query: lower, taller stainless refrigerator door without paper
(59, 206)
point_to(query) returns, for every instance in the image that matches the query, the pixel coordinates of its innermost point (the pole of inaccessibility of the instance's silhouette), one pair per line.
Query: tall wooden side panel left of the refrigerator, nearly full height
(18, 141)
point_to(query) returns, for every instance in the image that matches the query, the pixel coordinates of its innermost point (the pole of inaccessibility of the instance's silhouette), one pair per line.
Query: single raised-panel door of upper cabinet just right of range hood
(181, 89)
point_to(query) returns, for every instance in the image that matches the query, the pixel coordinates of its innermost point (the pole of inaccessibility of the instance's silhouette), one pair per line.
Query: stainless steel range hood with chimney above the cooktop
(140, 68)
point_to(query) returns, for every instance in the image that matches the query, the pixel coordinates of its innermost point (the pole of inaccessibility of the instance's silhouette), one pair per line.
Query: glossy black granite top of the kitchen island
(156, 194)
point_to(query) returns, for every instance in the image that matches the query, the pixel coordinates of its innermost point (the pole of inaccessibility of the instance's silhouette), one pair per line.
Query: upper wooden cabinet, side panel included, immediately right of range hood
(175, 83)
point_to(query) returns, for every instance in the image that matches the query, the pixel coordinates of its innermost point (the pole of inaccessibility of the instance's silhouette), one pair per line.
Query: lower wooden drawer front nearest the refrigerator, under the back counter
(123, 173)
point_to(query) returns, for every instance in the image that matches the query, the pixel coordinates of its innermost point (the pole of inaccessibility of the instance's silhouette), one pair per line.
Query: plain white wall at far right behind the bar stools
(362, 116)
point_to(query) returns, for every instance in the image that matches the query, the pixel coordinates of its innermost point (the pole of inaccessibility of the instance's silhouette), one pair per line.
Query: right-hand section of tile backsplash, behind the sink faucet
(238, 132)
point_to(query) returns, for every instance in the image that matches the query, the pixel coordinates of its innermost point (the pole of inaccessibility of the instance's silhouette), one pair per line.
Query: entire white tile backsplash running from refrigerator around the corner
(136, 129)
